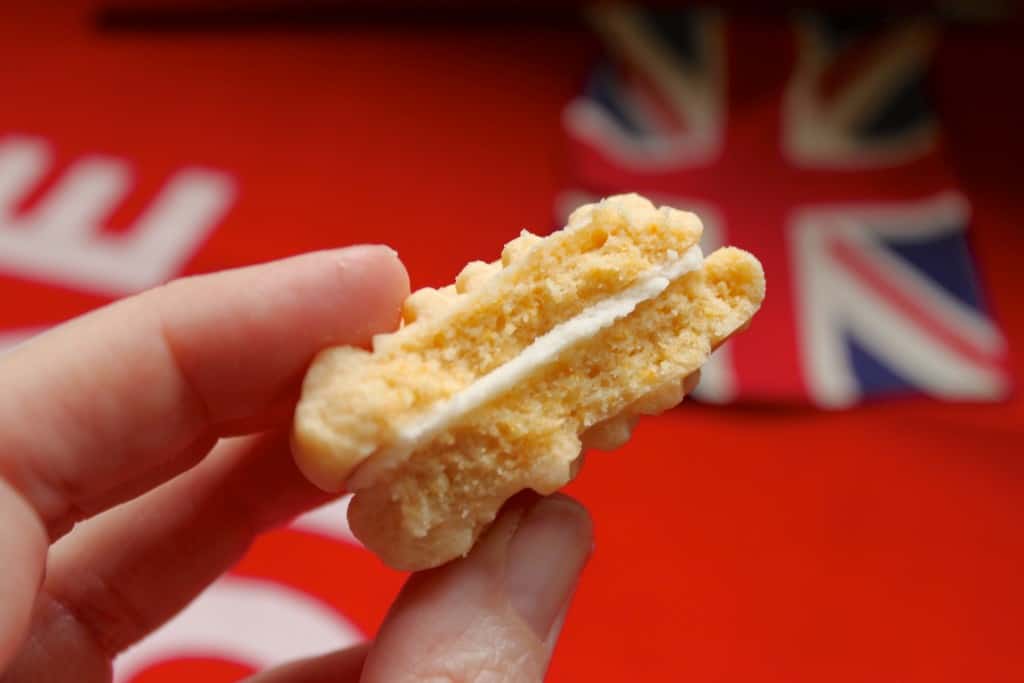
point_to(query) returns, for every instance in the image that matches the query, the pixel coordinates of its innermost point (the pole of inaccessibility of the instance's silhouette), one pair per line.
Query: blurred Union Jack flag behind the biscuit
(813, 145)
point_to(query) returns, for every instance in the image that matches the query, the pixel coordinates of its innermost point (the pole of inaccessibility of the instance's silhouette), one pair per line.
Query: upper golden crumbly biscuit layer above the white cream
(451, 337)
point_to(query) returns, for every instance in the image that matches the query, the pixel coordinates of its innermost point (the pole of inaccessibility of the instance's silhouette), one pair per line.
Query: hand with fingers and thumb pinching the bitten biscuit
(157, 429)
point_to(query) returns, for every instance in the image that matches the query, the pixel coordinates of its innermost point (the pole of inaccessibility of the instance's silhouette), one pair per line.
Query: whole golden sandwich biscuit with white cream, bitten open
(498, 382)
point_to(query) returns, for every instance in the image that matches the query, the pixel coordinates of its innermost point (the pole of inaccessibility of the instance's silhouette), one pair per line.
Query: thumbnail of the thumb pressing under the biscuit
(545, 558)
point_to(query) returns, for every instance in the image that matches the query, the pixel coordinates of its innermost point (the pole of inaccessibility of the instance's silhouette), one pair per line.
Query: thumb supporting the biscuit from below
(496, 614)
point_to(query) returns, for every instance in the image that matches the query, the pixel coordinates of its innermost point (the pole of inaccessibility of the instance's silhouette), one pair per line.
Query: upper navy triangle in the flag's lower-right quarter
(946, 260)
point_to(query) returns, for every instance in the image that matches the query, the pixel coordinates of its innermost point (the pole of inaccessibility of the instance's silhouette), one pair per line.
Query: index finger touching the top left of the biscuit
(123, 392)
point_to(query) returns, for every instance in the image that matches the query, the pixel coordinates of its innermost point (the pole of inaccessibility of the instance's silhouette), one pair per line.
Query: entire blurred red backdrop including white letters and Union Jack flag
(844, 501)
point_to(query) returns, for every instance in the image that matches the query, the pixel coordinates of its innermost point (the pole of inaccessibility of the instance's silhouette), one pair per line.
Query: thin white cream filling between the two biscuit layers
(544, 351)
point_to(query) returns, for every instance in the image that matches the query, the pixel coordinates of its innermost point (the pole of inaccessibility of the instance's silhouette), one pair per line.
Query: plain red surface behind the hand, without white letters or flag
(757, 543)
